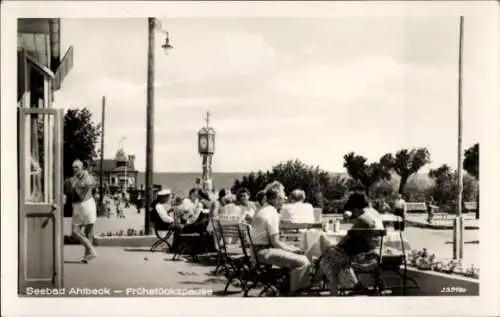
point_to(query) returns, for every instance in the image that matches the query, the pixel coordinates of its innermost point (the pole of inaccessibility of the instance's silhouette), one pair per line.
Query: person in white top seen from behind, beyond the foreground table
(297, 211)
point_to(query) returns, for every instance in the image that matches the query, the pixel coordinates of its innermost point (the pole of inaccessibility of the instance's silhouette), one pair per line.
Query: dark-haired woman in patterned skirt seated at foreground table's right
(352, 248)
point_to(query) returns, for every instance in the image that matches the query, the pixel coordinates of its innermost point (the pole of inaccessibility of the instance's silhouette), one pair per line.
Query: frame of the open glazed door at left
(57, 216)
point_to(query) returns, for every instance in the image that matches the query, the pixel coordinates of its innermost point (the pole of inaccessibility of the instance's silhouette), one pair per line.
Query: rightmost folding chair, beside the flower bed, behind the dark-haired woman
(394, 263)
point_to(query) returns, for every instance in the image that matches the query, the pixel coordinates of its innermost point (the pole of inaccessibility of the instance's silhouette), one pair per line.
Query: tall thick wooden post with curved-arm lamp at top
(153, 25)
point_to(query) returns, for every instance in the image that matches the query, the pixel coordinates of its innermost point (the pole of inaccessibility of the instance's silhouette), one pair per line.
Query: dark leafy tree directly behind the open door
(81, 136)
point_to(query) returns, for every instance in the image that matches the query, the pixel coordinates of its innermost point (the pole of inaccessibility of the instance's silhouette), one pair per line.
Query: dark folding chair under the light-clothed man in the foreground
(255, 273)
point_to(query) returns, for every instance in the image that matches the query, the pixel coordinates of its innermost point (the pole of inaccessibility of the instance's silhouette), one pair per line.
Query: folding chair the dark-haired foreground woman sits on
(372, 269)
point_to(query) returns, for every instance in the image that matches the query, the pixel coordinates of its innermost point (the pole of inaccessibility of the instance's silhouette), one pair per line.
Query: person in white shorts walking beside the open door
(84, 216)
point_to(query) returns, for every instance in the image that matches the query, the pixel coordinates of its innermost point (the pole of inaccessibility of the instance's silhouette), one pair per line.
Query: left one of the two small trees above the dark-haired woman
(365, 174)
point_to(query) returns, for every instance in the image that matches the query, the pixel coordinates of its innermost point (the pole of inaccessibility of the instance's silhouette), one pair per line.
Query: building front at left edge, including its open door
(40, 73)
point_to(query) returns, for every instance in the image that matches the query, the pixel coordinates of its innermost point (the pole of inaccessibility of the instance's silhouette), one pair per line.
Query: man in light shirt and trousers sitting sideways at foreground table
(269, 248)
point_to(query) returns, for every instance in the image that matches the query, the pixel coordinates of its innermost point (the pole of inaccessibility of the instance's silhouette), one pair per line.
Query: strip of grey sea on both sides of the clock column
(180, 183)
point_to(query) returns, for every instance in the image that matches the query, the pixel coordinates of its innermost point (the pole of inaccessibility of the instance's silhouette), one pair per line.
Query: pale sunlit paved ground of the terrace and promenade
(119, 268)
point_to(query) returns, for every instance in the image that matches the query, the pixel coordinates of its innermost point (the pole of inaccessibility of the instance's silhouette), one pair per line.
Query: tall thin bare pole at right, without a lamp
(458, 225)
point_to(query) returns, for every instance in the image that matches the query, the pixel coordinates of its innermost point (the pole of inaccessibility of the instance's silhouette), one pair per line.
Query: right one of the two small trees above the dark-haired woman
(406, 163)
